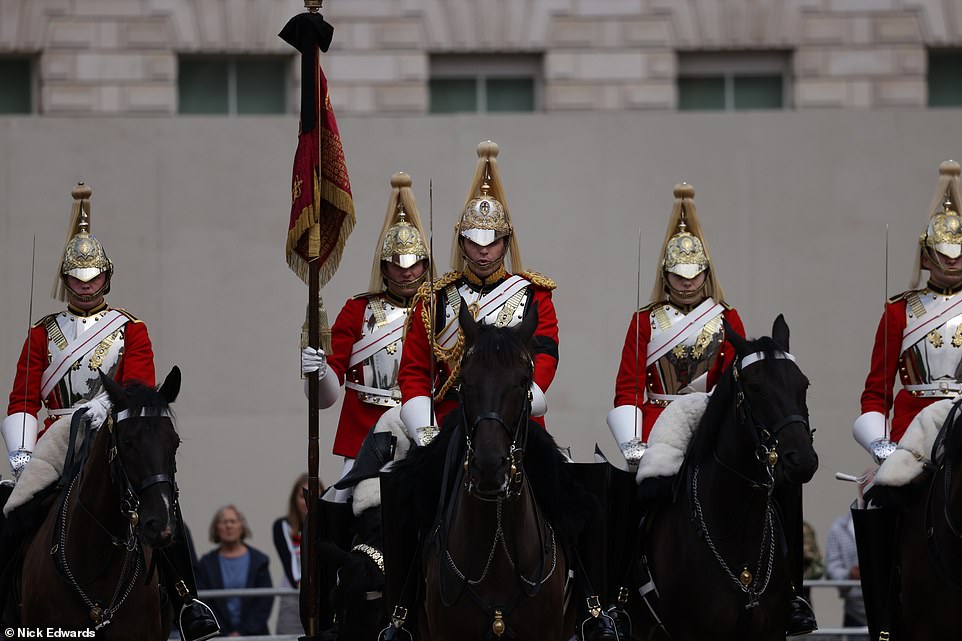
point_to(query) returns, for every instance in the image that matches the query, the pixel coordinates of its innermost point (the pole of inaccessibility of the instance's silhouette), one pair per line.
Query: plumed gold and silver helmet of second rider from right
(685, 251)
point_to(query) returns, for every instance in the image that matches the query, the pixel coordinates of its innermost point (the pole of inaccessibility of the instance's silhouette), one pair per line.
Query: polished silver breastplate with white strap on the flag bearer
(380, 369)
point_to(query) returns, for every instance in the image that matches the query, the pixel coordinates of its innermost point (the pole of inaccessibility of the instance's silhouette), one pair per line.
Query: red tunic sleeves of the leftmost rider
(136, 364)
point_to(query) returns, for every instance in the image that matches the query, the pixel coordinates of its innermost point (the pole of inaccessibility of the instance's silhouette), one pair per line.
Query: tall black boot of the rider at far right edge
(876, 537)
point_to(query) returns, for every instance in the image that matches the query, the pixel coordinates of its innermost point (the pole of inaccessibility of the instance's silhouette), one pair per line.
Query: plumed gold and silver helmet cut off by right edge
(943, 230)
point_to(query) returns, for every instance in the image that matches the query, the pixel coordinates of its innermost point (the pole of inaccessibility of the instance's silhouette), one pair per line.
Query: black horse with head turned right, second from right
(716, 552)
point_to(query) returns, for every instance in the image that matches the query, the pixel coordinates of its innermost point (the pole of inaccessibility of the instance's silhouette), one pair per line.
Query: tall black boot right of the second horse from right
(801, 617)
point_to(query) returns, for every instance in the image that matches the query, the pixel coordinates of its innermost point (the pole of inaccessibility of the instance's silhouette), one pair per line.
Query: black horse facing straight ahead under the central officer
(494, 562)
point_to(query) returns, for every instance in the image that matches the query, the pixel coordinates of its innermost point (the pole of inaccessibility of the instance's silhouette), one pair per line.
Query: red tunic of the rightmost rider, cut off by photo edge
(886, 363)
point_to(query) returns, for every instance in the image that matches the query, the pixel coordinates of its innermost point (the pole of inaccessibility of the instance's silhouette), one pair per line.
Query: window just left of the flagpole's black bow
(239, 85)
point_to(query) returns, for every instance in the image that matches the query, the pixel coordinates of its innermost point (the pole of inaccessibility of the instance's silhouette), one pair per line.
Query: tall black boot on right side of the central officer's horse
(591, 559)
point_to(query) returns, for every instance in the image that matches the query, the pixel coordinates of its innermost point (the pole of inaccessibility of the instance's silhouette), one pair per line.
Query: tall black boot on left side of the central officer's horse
(400, 540)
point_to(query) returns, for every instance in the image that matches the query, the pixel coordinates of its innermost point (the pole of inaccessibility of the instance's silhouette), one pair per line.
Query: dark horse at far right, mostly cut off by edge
(930, 543)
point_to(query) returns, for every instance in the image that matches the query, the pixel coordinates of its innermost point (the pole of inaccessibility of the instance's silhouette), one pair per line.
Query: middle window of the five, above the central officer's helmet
(485, 83)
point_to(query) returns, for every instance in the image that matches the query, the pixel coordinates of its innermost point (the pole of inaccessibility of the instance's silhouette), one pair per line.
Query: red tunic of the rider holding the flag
(357, 417)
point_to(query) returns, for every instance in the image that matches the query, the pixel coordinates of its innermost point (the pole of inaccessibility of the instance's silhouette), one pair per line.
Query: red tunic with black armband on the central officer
(415, 375)
